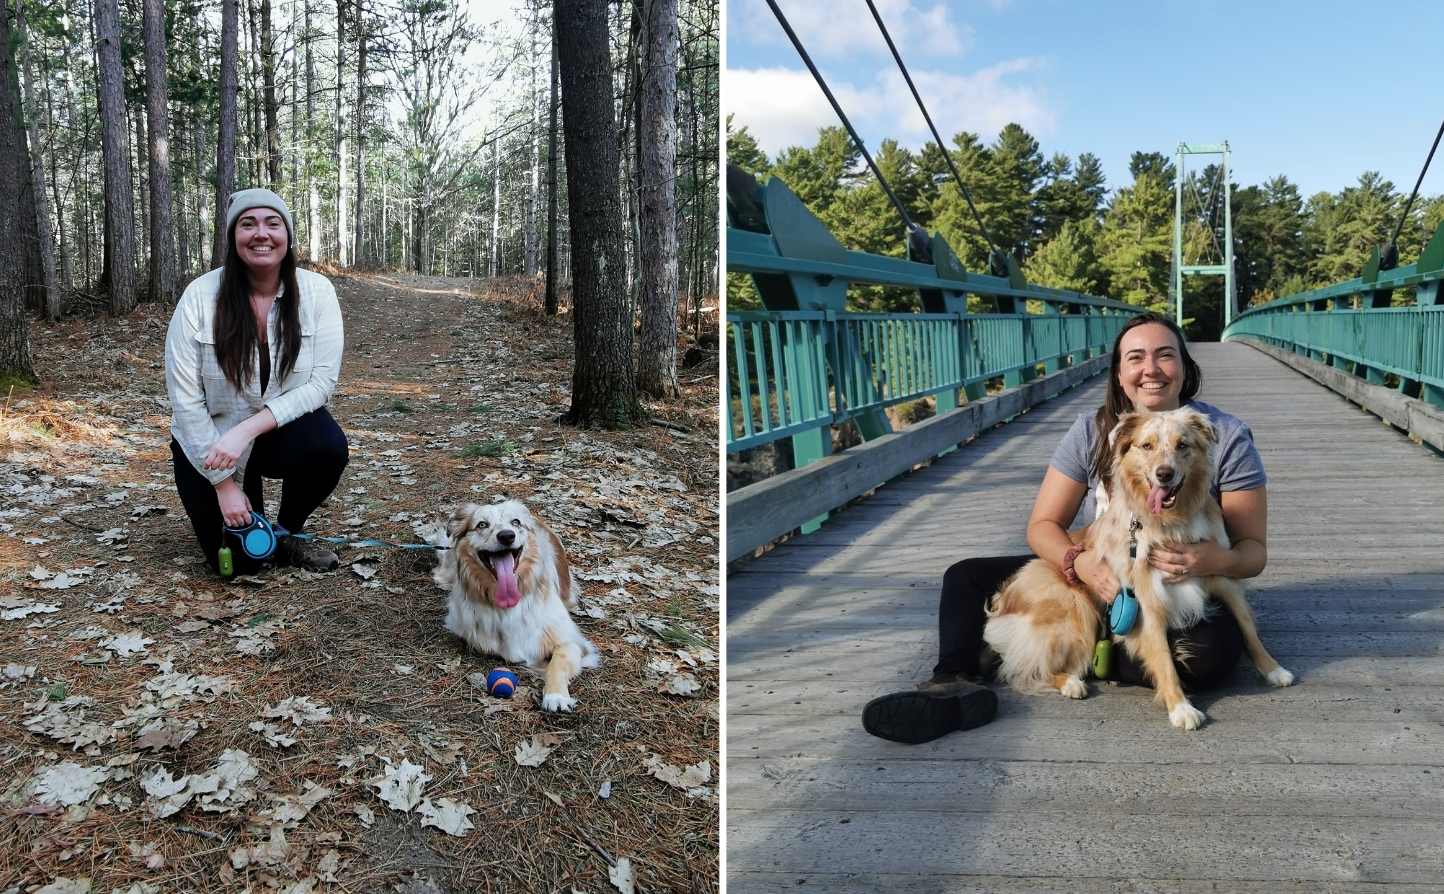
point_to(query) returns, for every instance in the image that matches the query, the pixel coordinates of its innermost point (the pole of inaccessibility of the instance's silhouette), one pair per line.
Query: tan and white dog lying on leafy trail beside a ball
(510, 590)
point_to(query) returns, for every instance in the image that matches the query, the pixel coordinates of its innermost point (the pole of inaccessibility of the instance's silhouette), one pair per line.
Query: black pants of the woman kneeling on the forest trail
(308, 454)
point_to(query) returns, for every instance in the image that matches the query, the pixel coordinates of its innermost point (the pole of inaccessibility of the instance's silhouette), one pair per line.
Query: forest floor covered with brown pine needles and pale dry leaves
(162, 730)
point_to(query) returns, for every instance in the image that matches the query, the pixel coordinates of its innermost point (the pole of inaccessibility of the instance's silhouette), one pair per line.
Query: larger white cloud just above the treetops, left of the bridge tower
(785, 108)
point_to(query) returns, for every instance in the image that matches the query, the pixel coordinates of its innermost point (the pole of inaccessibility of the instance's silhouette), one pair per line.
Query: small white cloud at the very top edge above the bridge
(847, 28)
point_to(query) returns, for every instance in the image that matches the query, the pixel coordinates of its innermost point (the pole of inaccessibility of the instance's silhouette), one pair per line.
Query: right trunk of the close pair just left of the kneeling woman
(162, 252)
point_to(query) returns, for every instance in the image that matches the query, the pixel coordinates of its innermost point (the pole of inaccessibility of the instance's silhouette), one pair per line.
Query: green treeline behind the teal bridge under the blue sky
(1069, 230)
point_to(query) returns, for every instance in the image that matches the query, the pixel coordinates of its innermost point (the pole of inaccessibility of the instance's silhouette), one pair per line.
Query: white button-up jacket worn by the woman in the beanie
(204, 405)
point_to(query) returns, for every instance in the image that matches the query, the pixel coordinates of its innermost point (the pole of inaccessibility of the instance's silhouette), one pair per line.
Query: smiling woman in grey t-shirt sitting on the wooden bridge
(1152, 370)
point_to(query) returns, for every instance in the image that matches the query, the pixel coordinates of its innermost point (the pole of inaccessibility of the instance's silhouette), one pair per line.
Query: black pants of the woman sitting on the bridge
(1205, 655)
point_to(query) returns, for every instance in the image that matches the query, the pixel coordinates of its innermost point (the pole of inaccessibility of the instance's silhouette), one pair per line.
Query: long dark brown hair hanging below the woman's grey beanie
(236, 340)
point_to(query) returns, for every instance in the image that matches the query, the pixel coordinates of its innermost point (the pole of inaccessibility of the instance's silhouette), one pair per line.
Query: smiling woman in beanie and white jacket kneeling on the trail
(252, 357)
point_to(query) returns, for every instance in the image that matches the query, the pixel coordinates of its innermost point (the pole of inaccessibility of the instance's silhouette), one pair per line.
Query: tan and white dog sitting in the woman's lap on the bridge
(1045, 629)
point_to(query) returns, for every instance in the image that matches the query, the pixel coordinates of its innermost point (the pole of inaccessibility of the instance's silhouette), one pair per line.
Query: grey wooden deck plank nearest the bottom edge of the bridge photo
(1219, 849)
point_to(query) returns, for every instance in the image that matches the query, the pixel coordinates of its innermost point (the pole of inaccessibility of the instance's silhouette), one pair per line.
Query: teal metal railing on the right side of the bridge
(1354, 326)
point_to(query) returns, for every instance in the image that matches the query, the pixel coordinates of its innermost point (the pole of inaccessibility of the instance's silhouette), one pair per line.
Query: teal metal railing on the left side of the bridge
(796, 370)
